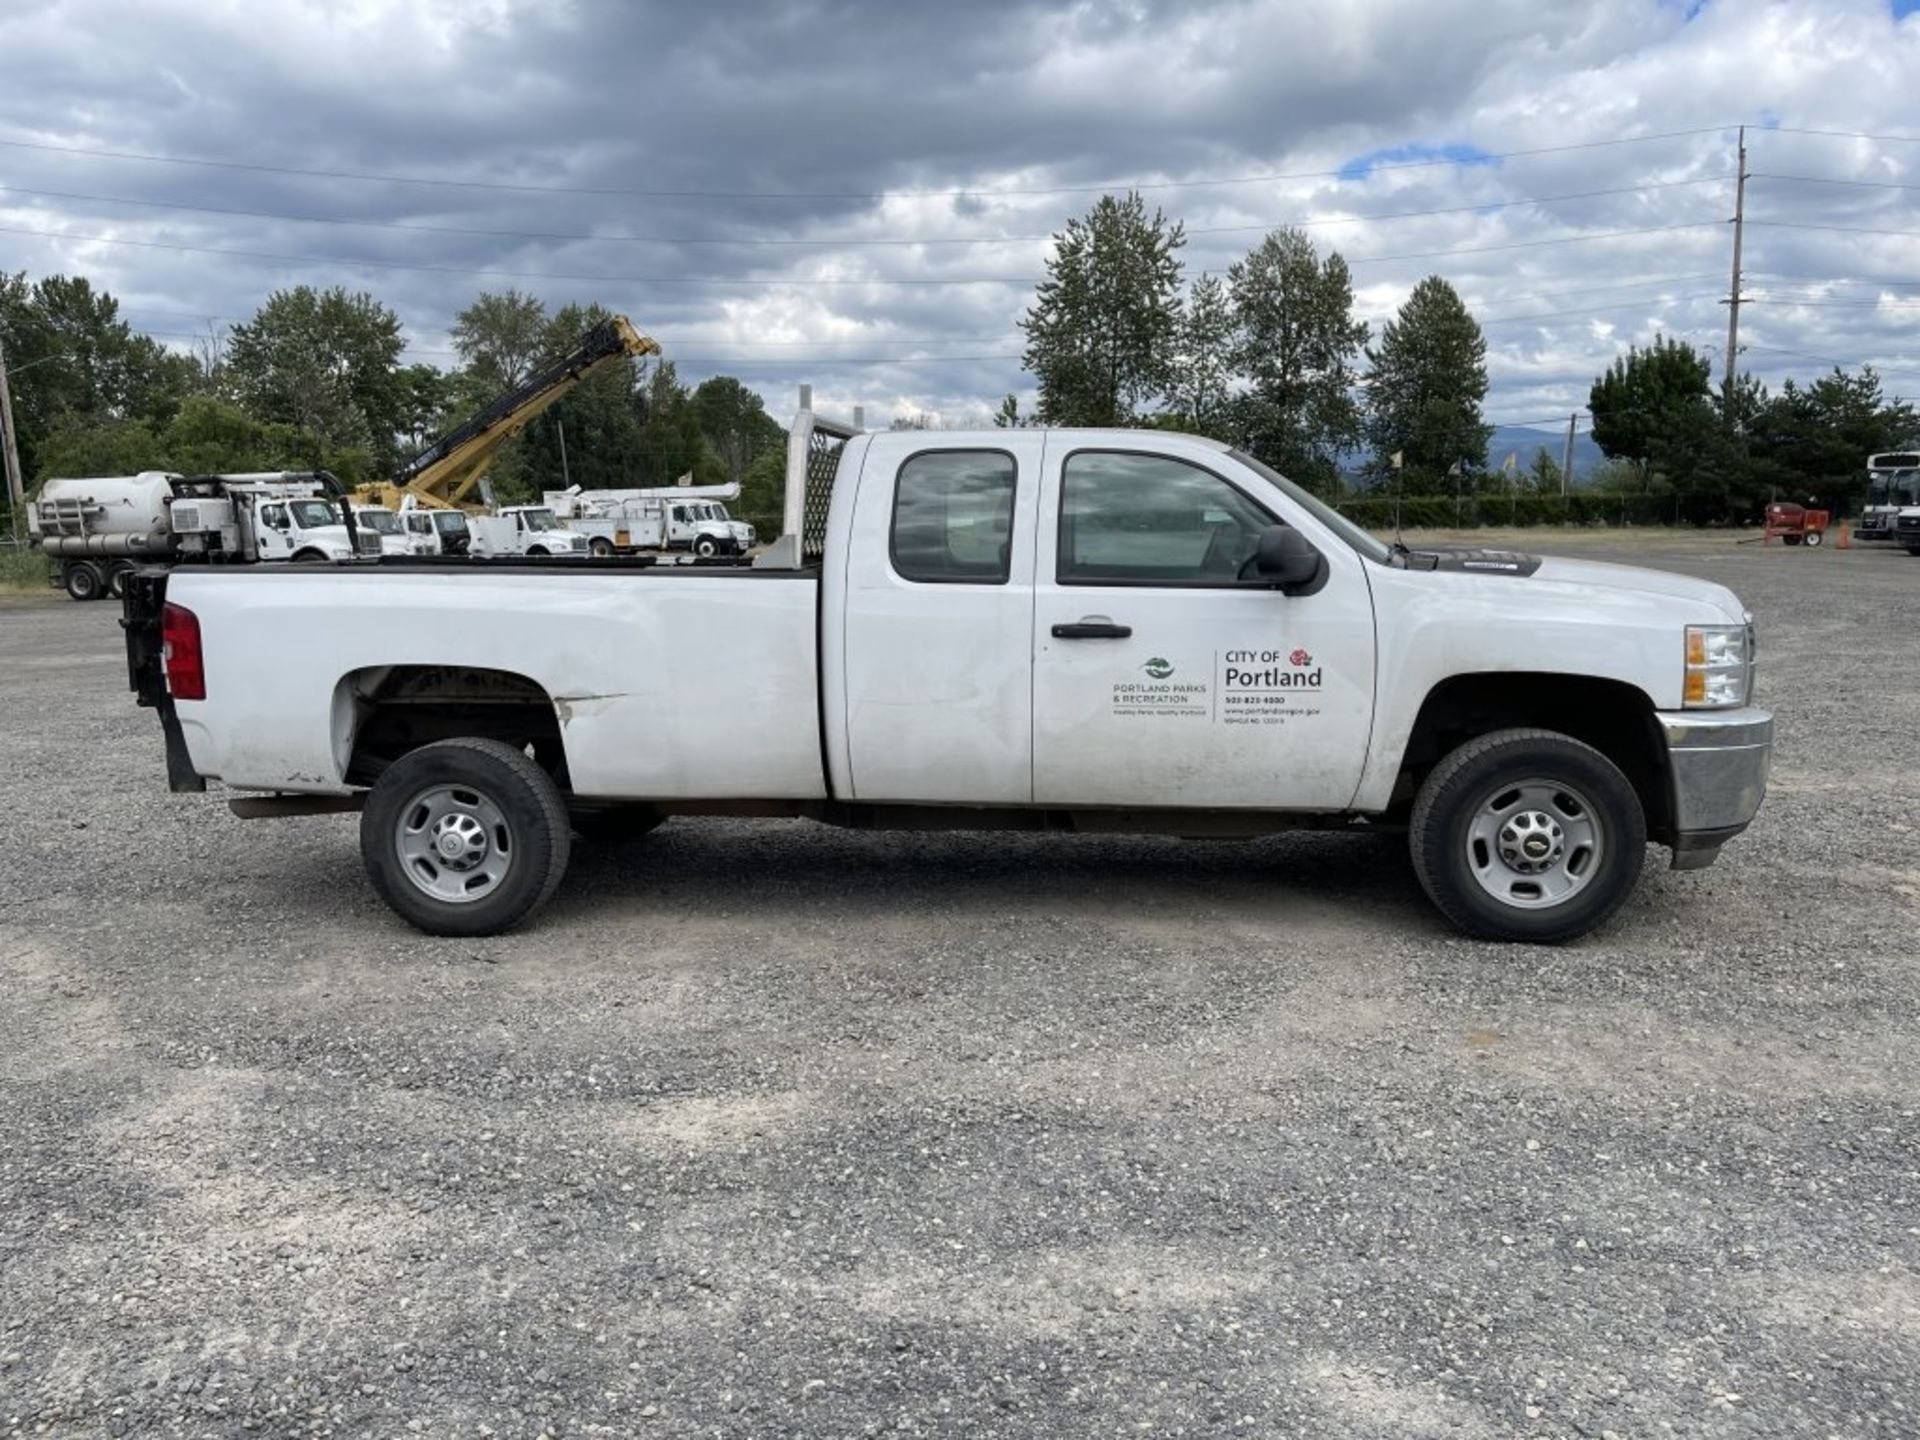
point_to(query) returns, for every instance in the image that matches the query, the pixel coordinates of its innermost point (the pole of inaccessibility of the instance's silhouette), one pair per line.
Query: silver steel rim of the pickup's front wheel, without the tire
(1535, 844)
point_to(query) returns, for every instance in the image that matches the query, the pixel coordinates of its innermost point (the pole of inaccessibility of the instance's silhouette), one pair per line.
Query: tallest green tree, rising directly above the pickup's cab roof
(1105, 322)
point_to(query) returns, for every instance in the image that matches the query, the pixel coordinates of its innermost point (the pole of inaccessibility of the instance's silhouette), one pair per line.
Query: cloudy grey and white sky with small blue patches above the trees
(859, 195)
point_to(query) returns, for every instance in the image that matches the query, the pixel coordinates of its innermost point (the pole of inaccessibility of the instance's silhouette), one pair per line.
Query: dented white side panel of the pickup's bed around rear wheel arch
(671, 686)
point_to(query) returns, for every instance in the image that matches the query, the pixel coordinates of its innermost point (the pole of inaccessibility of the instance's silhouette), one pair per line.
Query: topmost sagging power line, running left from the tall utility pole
(1345, 172)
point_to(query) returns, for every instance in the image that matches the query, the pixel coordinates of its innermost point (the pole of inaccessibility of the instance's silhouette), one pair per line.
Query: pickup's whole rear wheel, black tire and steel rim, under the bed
(466, 836)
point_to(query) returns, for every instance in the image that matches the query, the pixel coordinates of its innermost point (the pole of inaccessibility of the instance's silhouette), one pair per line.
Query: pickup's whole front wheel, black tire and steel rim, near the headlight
(1527, 836)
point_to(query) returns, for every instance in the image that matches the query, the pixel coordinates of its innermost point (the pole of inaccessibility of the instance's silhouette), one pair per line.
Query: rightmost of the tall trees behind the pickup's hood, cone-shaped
(1428, 387)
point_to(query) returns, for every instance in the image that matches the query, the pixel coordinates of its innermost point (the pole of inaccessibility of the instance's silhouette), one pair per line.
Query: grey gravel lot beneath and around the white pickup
(773, 1130)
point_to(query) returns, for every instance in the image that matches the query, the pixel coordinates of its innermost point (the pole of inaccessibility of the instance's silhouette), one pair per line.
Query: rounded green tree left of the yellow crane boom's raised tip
(325, 362)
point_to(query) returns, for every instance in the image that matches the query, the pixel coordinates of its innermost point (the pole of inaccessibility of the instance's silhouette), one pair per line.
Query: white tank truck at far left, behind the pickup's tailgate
(97, 531)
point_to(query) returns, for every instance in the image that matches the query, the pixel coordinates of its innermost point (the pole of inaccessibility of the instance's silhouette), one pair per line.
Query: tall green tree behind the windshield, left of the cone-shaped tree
(1299, 347)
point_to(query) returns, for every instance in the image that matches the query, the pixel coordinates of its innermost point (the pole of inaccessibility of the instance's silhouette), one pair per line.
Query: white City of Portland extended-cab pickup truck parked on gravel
(1086, 631)
